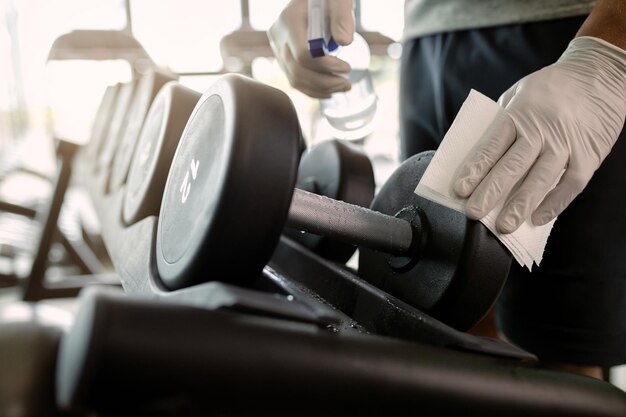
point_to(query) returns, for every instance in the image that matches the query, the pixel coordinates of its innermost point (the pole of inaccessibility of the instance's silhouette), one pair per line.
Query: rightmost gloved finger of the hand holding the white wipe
(572, 183)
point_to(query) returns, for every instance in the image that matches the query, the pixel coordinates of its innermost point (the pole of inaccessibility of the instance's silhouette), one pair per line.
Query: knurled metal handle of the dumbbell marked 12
(360, 226)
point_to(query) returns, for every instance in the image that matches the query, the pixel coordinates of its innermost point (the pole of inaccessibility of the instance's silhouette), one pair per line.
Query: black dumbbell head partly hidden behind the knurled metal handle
(341, 171)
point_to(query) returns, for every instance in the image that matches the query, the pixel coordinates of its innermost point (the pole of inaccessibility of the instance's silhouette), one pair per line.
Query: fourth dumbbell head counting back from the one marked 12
(106, 152)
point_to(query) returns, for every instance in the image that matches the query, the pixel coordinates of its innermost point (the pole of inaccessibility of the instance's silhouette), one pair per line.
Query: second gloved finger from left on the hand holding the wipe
(507, 172)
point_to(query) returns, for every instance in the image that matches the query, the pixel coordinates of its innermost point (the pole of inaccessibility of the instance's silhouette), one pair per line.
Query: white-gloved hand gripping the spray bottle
(315, 77)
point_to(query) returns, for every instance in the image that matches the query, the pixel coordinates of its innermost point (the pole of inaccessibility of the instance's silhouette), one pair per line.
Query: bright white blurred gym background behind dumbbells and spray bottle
(46, 93)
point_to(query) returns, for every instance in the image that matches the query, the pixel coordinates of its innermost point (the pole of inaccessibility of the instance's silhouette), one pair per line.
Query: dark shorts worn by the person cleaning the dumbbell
(573, 307)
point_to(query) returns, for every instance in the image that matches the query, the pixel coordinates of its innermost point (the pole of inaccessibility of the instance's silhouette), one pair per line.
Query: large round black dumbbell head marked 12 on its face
(229, 188)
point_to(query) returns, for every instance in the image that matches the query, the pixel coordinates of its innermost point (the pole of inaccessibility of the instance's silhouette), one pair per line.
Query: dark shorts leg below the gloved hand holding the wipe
(572, 309)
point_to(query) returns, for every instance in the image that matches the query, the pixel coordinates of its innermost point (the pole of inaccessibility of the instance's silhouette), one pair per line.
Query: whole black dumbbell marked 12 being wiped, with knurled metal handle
(230, 193)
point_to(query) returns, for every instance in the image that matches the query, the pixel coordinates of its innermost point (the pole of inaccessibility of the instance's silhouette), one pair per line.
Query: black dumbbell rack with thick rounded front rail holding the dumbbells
(309, 337)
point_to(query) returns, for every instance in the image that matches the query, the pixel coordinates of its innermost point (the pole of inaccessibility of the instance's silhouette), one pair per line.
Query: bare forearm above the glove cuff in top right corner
(607, 21)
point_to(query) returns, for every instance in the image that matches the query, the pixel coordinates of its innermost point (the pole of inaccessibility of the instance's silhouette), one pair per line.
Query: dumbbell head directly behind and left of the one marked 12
(157, 143)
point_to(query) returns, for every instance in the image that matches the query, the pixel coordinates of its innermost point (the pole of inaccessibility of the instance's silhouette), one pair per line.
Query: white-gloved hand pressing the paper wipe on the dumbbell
(562, 119)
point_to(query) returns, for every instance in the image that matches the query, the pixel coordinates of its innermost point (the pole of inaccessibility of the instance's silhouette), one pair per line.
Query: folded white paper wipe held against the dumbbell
(478, 111)
